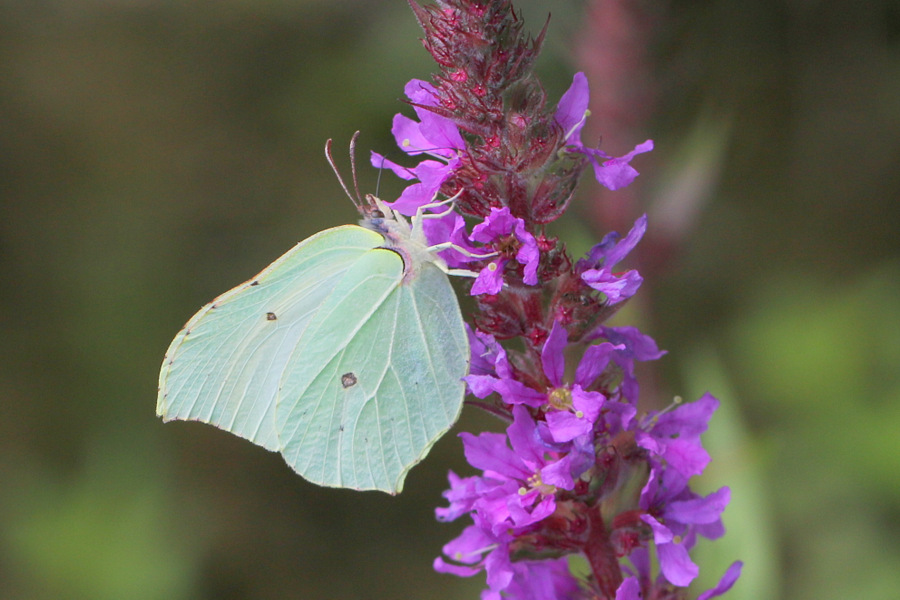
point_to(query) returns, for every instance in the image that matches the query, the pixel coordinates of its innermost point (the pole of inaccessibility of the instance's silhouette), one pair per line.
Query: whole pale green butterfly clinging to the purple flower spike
(346, 355)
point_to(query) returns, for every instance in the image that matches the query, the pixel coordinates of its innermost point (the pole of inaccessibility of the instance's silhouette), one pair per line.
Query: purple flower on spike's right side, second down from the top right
(604, 256)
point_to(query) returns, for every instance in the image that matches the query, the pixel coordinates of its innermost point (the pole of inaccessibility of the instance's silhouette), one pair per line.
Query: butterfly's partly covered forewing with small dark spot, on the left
(225, 366)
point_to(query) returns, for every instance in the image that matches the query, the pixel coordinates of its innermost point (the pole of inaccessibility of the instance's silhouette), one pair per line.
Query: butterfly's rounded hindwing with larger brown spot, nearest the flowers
(376, 380)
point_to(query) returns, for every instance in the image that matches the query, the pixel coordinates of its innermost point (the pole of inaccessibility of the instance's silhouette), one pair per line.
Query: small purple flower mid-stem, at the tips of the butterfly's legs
(497, 228)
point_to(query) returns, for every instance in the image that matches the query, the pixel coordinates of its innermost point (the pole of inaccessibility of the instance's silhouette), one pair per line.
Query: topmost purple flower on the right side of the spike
(613, 173)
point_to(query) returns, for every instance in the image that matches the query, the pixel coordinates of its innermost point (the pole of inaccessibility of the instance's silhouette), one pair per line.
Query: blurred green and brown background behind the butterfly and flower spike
(155, 153)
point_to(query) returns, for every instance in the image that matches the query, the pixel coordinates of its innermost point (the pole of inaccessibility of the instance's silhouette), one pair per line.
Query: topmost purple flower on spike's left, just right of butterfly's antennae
(433, 135)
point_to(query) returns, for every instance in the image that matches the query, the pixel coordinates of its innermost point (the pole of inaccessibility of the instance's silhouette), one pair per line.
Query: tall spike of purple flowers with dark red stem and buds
(578, 471)
